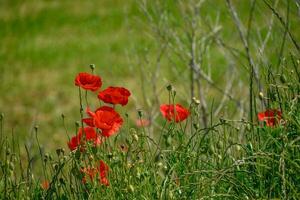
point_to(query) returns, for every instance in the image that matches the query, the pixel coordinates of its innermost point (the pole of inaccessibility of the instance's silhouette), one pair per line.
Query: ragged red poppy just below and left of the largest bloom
(90, 135)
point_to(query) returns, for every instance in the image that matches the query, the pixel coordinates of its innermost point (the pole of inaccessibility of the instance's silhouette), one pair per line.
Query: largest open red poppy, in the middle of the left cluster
(107, 119)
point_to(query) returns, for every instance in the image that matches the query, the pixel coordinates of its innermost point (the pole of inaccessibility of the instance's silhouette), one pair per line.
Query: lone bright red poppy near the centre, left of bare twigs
(176, 113)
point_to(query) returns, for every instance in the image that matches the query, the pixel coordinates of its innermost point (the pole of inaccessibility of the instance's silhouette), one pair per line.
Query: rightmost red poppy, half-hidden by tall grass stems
(271, 117)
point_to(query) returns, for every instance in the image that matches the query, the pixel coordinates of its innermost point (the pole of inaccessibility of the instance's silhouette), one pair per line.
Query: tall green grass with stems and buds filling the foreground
(226, 160)
